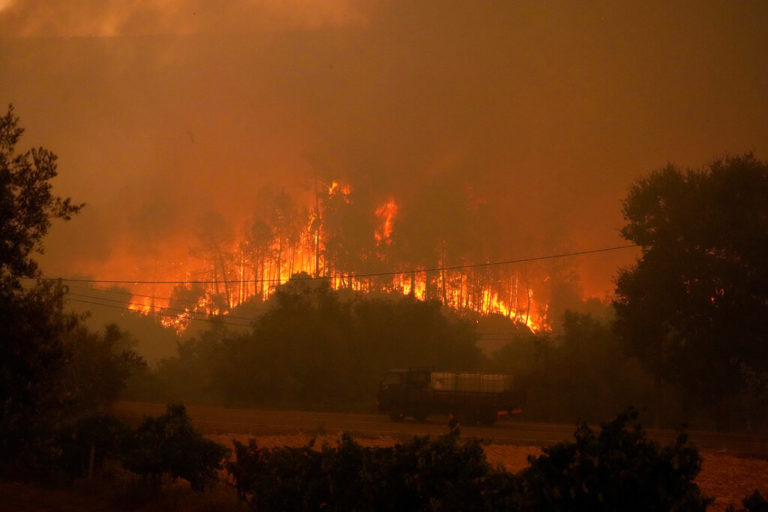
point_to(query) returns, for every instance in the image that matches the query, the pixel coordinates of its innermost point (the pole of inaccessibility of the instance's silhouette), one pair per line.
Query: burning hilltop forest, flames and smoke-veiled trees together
(337, 237)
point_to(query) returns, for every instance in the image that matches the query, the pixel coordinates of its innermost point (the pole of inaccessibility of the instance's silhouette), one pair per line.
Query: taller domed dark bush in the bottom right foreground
(616, 469)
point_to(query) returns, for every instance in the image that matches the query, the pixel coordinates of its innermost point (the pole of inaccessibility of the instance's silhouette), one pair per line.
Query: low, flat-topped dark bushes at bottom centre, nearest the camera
(440, 474)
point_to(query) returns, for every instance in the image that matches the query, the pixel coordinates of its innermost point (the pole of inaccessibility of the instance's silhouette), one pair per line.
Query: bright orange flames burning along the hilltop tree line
(244, 269)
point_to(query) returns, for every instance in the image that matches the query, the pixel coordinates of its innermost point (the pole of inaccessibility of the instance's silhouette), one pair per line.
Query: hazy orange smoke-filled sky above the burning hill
(160, 111)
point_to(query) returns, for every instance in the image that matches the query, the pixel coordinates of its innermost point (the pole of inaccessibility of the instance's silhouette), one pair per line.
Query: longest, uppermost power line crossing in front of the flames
(358, 276)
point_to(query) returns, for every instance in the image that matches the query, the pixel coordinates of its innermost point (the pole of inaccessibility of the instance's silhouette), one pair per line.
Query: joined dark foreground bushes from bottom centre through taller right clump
(616, 469)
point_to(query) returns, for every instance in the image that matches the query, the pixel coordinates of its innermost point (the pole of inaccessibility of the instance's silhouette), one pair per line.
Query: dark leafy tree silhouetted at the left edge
(33, 324)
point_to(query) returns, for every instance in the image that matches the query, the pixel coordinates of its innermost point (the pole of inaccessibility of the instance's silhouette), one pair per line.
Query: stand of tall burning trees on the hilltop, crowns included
(361, 241)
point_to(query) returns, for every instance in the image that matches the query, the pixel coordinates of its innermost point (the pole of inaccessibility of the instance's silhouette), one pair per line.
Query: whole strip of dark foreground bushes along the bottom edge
(614, 468)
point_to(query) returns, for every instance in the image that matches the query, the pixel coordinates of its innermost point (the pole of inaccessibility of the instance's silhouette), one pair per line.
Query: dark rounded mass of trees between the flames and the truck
(316, 348)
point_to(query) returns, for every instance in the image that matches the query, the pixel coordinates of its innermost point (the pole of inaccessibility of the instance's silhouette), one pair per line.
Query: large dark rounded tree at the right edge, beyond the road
(694, 308)
